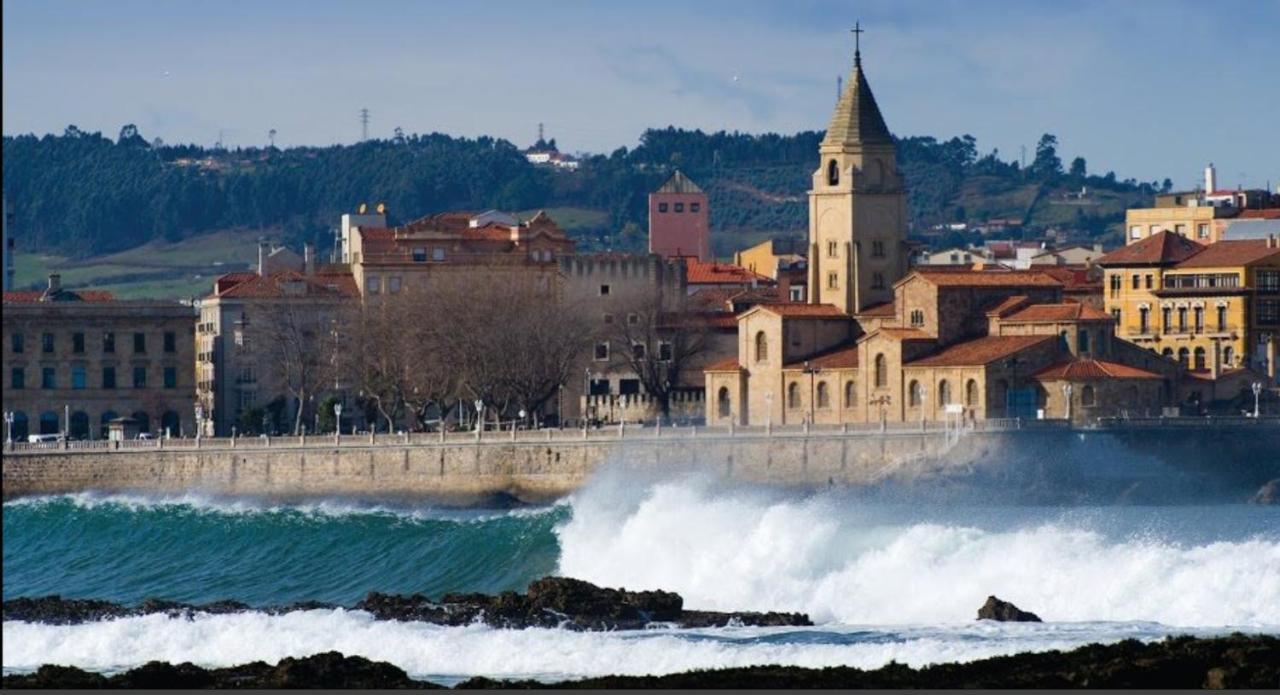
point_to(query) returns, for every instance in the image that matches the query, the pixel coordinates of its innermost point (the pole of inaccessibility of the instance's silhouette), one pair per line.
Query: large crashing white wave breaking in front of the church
(742, 551)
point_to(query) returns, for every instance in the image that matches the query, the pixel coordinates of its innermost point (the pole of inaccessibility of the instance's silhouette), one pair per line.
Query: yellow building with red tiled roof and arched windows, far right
(1212, 308)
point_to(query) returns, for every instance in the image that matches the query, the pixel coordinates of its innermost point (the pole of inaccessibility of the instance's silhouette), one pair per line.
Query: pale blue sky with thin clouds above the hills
(1150, 89)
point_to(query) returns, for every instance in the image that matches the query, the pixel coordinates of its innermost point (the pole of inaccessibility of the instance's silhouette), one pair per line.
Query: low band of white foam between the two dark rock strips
(424, 650)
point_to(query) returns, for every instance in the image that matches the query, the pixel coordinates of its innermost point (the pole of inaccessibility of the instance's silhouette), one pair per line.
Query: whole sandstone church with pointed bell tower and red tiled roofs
(881, 342)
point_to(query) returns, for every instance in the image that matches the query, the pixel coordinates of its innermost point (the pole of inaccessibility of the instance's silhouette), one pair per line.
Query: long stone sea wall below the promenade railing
(1227, 463)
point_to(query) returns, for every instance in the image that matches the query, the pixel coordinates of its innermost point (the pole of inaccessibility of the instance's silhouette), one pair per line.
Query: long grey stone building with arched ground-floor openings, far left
(76, 360)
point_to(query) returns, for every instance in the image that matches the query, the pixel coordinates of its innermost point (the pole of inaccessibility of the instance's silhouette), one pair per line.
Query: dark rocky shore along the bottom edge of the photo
(1235, 661)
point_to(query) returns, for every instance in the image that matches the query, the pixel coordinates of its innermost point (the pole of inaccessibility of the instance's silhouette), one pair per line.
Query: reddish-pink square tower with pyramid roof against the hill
(679, 221)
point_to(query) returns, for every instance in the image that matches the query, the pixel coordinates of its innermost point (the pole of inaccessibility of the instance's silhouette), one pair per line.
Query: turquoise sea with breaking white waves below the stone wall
(889, 575)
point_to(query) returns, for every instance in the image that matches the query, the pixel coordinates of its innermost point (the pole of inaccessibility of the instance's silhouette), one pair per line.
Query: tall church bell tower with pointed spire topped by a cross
(857, 205)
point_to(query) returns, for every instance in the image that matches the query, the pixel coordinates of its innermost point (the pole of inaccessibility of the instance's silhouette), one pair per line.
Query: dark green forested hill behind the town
(83, 194)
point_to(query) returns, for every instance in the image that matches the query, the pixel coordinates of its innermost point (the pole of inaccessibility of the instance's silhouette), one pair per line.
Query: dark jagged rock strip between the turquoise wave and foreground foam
(550, 602)
